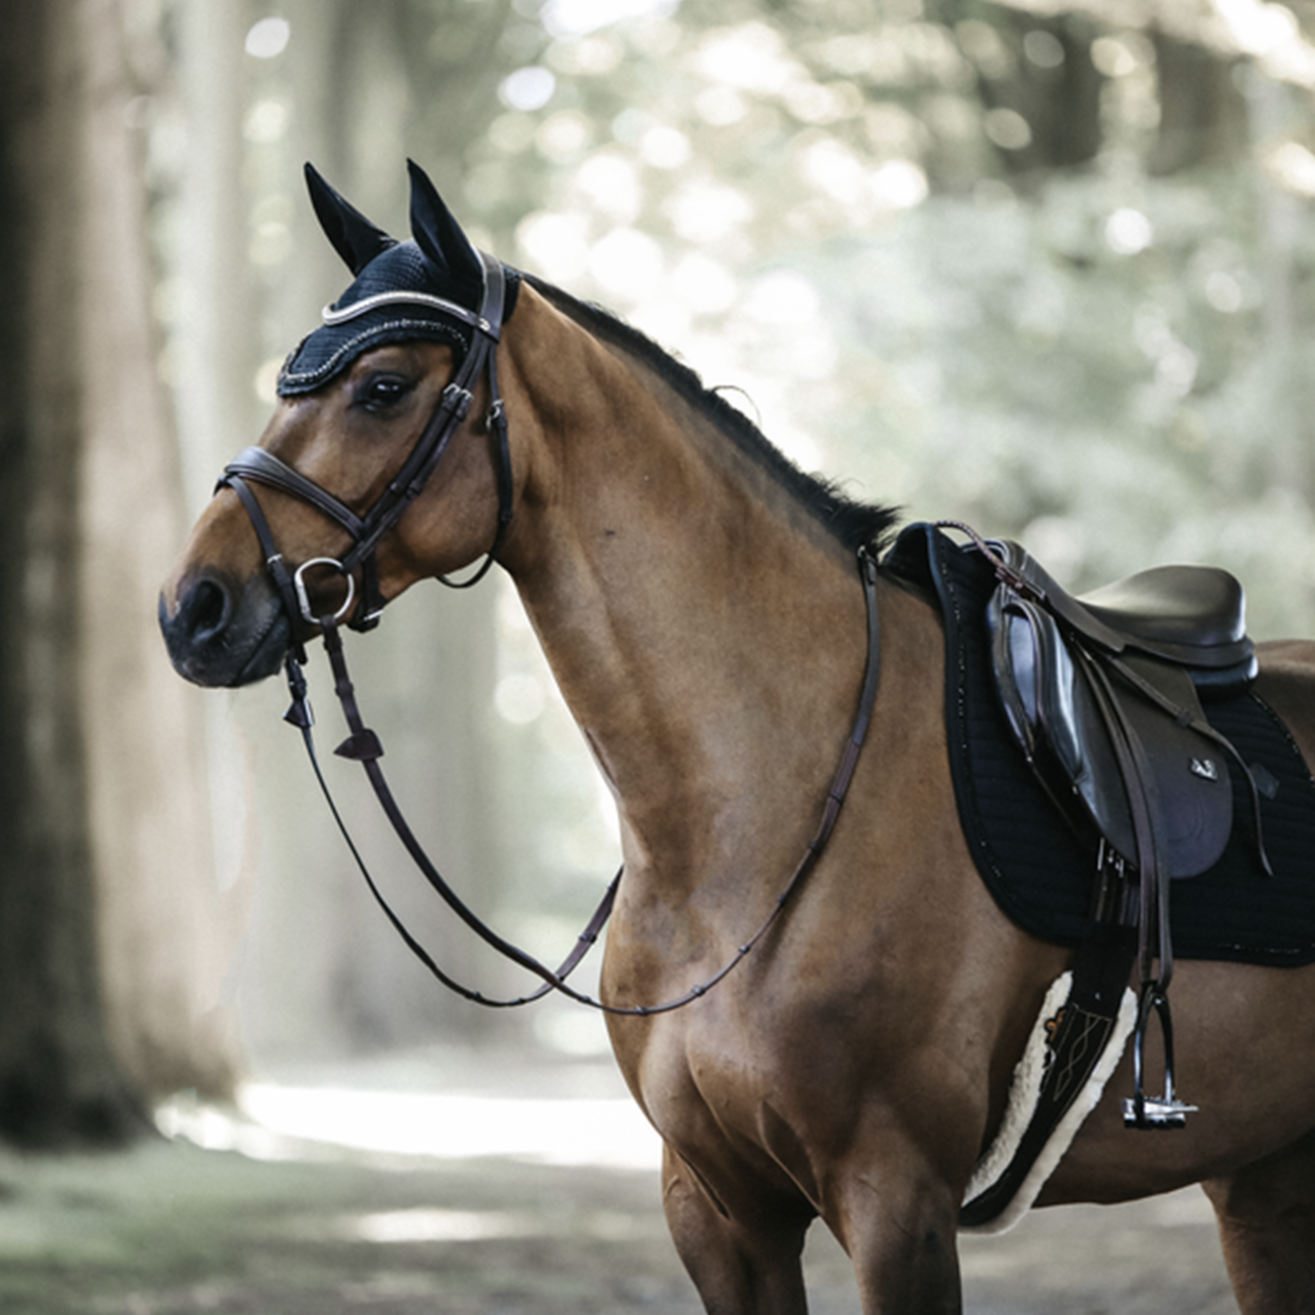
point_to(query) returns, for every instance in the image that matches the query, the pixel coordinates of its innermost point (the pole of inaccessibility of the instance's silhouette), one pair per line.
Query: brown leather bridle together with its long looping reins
(364, 744)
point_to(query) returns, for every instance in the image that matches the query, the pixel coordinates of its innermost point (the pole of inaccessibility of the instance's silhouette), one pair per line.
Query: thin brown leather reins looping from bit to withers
(365, 748)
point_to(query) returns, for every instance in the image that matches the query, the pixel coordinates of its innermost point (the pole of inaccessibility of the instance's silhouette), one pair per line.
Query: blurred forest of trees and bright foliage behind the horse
(1042, 266)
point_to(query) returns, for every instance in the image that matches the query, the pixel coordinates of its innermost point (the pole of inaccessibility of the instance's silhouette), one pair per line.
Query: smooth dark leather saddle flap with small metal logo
(1087, 734)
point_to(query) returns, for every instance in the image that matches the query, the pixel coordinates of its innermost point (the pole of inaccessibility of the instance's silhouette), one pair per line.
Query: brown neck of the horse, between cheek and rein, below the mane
(707, 634)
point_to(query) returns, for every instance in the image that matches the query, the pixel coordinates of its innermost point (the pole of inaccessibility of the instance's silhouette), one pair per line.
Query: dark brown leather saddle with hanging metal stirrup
(1104, 695)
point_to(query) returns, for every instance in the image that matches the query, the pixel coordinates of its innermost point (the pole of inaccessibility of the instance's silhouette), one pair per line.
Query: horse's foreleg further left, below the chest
(741, 1266)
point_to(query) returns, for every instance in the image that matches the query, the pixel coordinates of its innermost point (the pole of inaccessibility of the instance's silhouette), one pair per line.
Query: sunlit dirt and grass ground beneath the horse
(170, 1229)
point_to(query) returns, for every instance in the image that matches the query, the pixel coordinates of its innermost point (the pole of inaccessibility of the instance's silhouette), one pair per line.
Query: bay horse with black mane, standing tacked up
(699, 602)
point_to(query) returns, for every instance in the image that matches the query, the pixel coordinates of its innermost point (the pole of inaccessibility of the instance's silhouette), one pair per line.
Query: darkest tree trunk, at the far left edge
(59, 1079)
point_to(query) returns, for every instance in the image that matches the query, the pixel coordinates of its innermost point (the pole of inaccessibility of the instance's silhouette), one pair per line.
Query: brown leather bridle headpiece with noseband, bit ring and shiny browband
(368, 531)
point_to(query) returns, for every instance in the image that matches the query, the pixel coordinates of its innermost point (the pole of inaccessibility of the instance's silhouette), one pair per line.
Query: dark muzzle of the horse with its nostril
(224, 634)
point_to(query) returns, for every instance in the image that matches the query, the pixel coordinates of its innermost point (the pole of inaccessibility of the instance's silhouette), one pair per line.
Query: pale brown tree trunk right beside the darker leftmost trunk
(168, 932)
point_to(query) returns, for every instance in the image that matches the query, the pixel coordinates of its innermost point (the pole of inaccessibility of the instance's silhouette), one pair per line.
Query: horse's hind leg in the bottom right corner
(1267, 1225)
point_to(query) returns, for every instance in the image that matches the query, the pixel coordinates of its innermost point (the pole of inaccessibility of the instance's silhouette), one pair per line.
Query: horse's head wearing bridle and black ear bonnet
(375, 471)
